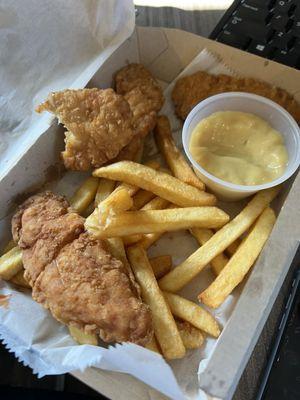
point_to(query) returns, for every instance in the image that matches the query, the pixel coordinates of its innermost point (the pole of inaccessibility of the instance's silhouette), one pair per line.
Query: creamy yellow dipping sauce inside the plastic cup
(239, 147)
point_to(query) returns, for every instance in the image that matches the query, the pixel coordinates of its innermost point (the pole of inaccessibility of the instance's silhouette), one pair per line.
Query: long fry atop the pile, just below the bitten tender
(161, 184)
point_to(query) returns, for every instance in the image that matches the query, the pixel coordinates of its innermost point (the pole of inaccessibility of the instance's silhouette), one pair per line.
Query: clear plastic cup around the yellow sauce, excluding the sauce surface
(271, 112)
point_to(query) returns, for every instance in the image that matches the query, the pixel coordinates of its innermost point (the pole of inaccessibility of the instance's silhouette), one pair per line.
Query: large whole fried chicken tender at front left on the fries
(75, 276)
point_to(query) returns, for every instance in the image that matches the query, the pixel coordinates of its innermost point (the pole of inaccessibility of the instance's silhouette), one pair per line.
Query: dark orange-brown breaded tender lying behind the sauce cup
(192, 89)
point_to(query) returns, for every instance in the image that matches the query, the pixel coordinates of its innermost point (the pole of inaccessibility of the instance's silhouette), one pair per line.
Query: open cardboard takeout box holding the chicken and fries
(165, 52)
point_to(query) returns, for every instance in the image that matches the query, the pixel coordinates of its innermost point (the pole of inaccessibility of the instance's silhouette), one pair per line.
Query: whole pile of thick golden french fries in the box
(134, 205)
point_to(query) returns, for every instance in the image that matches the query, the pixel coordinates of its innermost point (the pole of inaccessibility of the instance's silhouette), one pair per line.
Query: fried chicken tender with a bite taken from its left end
(98, 123)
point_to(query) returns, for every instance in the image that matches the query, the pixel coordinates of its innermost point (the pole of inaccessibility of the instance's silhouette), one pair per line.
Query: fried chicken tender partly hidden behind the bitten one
(145, 99)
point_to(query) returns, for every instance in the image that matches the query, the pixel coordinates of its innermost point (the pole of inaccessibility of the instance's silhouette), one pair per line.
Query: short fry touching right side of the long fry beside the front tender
(192, 313)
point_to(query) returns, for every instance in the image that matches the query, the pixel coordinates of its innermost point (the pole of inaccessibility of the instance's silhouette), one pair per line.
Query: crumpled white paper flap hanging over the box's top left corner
(47, 46)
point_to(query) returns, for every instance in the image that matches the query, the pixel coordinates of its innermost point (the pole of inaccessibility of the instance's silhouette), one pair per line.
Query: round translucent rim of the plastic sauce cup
(290, 170)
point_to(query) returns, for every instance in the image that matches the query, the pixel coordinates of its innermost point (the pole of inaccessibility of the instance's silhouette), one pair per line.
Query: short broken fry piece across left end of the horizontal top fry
(118, 201)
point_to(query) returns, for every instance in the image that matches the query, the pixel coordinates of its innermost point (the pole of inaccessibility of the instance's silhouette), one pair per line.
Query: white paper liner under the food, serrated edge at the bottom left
(42, 343)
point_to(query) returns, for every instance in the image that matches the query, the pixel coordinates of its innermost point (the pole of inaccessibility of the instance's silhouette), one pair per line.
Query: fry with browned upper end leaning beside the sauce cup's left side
(175, 159)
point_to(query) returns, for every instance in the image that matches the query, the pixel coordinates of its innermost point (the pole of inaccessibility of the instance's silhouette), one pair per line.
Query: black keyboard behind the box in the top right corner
(268, 28)
